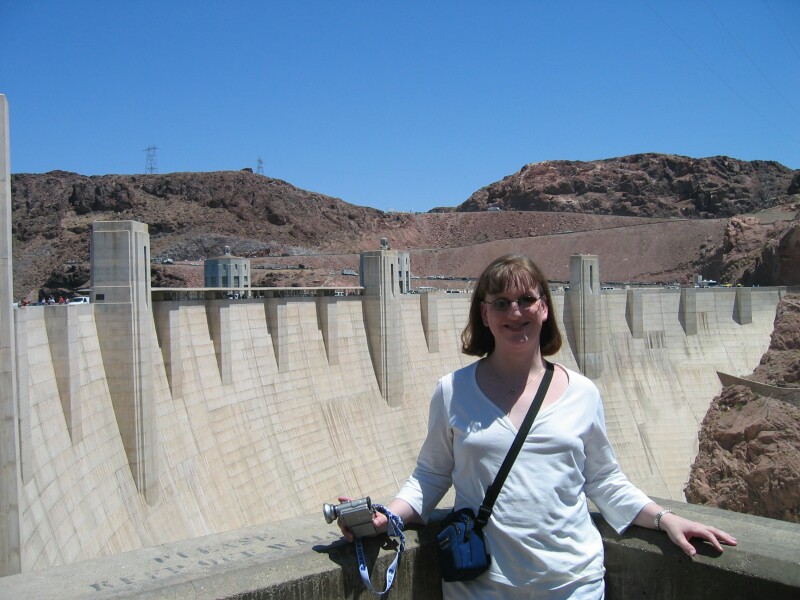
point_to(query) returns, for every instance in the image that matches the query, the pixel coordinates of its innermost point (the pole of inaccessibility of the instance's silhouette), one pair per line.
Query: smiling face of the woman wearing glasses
(515, 317)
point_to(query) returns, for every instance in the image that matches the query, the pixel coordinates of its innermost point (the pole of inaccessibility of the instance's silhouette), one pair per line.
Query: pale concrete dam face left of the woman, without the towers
(271, 443)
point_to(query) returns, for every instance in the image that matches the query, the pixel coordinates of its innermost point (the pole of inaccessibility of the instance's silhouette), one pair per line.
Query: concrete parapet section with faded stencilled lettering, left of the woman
(296, 559)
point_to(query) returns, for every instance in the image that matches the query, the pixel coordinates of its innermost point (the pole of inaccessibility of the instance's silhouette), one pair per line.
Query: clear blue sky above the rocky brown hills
(395, 105)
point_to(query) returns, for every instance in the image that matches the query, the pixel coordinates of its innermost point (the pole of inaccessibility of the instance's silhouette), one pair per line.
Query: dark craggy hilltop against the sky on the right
(651, 185)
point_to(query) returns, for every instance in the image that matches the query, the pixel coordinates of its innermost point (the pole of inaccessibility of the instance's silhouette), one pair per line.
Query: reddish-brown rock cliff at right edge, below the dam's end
(749, 456)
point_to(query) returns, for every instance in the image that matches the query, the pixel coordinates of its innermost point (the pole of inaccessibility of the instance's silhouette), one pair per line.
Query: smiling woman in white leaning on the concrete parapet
(541, 538)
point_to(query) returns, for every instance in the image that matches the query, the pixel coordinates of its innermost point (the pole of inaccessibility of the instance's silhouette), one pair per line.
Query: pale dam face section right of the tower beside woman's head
(657, 385)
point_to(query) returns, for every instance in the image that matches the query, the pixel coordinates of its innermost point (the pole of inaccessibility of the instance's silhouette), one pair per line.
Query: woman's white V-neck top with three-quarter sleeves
(540, 533)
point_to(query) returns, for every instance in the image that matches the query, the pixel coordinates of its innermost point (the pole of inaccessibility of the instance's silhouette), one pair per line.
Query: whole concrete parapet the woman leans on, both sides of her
(306, 558)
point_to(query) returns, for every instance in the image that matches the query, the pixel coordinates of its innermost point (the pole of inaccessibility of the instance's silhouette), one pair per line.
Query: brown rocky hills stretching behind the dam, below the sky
(675, 215)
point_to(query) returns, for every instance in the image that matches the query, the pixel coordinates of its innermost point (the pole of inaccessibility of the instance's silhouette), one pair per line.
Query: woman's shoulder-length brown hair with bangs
(511, 270)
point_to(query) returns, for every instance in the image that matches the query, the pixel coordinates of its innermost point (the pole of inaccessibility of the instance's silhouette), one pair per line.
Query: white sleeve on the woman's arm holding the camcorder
(433, 474)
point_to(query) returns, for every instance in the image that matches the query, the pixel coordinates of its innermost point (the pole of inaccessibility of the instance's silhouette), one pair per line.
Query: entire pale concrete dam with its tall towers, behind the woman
(149, 417)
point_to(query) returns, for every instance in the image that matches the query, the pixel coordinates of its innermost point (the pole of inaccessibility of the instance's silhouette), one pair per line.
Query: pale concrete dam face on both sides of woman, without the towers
(247, 433)
